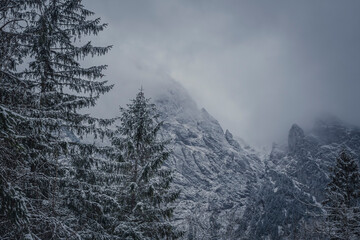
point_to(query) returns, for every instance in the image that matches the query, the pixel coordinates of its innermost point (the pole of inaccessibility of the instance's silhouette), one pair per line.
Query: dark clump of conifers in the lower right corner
(340, 211)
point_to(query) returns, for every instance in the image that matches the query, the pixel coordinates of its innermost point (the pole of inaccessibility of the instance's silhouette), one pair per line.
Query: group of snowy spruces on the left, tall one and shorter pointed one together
(52, 185)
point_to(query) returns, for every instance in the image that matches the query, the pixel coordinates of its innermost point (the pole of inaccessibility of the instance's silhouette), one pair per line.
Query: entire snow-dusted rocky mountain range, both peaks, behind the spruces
(231, 191)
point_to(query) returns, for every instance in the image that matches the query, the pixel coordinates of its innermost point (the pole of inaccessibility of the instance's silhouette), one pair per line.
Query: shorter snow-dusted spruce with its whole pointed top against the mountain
(146, 194)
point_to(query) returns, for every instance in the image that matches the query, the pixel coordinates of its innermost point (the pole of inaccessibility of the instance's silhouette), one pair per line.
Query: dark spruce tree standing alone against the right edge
(342, 200)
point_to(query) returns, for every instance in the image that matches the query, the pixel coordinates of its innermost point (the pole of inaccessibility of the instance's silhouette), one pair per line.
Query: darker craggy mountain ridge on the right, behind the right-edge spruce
(296, 175)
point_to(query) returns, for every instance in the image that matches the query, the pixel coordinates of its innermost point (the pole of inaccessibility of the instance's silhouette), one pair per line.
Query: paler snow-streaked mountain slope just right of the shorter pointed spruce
(215, 173)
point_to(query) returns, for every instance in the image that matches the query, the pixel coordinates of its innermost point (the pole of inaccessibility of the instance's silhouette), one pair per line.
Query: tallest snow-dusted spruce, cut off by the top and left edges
(50, 185)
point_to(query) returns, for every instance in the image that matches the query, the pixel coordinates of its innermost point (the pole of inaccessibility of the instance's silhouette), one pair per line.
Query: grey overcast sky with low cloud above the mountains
(256, 66)
